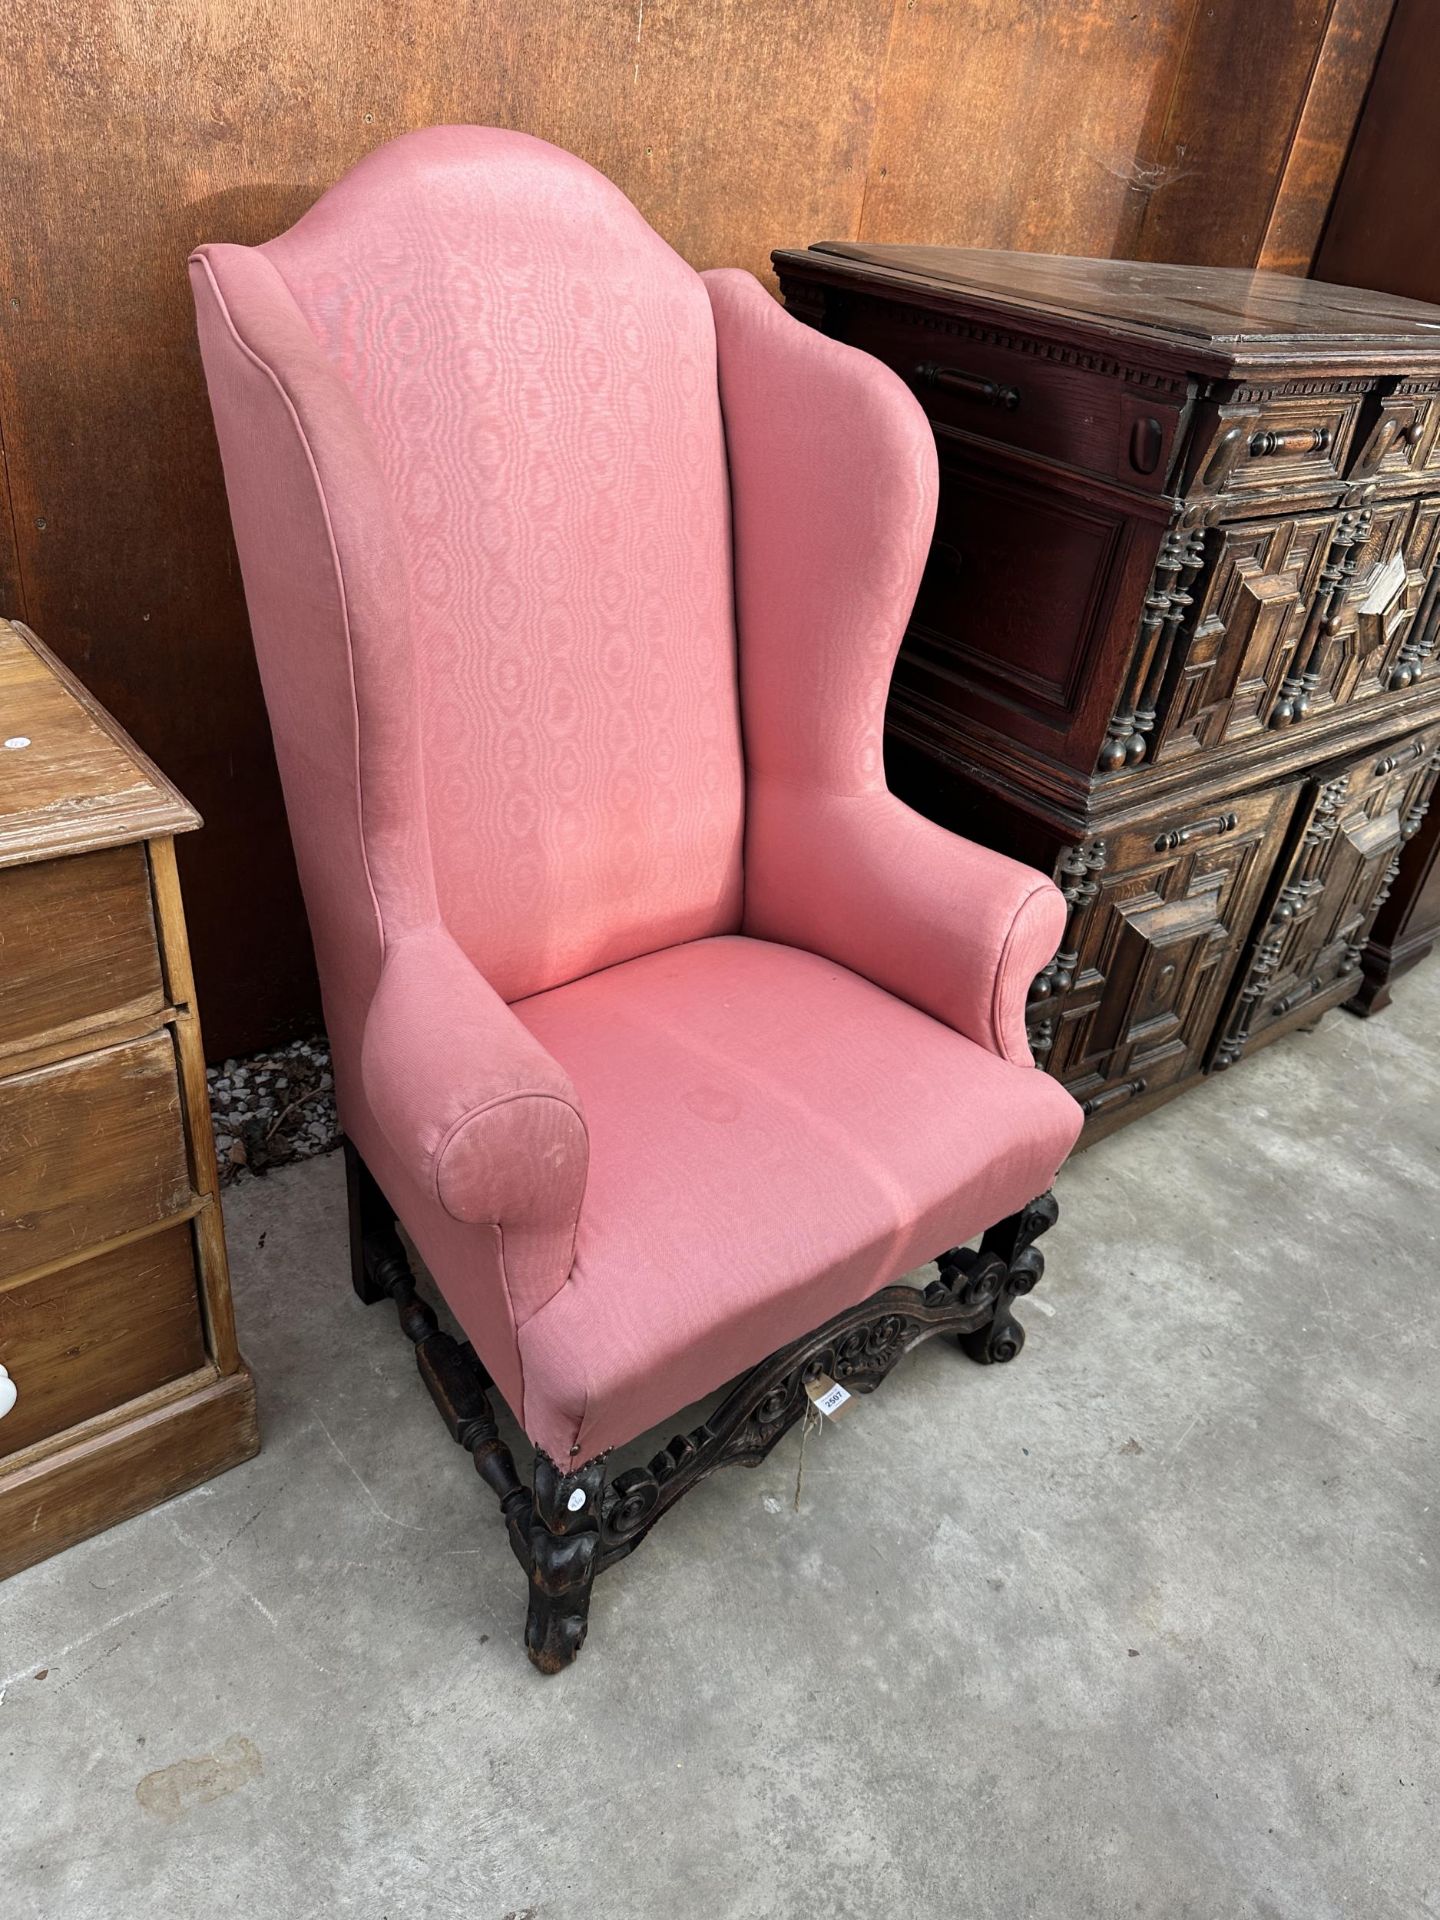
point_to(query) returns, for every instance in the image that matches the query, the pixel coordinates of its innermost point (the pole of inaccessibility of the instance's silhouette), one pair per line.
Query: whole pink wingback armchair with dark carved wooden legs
(671, 1038)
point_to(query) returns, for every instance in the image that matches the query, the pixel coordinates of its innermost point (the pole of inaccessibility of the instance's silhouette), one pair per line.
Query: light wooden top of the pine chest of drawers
(72, 780)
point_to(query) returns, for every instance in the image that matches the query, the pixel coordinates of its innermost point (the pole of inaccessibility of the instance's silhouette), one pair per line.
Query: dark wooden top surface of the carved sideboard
(1224, 324)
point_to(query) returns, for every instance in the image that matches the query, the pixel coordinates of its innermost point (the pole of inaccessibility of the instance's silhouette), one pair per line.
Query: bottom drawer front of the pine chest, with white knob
(89, 1337)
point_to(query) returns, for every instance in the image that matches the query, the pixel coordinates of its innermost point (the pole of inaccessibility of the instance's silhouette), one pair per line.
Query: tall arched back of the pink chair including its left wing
(491, 579)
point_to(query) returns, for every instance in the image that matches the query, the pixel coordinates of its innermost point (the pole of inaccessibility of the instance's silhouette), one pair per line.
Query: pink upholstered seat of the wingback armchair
(771, 1141)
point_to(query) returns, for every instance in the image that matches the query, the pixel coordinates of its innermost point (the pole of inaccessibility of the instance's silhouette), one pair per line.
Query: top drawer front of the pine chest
(78, 948)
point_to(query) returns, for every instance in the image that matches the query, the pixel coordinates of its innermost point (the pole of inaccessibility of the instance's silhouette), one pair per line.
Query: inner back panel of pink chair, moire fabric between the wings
(537, 375)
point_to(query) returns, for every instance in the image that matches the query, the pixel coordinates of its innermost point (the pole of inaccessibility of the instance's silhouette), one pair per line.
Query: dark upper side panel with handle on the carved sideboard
(1028, 393)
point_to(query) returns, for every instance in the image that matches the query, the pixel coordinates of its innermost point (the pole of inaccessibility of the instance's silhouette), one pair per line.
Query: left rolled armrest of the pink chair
(481, 1116)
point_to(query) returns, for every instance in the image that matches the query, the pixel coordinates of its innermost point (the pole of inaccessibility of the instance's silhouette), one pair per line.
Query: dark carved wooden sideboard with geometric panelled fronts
(1178, 633)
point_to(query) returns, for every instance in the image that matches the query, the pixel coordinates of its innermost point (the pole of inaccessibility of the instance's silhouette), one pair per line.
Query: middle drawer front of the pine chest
(89, 1149)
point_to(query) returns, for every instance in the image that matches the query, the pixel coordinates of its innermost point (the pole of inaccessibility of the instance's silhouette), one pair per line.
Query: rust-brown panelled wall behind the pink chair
(132, 130)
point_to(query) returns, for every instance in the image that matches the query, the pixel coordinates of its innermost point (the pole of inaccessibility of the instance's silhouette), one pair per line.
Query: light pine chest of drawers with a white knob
(124, 1383)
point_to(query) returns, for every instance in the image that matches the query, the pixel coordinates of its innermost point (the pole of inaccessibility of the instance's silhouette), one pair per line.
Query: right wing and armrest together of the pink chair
(834, 500)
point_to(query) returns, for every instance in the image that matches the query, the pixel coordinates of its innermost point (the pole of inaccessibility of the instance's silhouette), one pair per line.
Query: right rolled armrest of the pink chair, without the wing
(957, 930)
